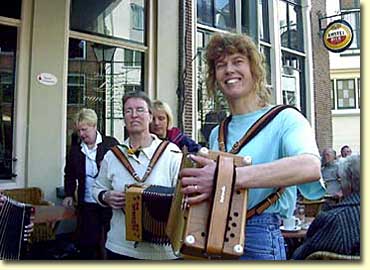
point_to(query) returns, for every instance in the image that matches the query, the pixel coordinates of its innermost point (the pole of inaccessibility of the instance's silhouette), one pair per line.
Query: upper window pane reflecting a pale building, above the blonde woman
(113, 18)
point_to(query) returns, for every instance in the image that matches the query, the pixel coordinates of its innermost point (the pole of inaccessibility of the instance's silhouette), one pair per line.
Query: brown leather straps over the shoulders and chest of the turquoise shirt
(263, 121)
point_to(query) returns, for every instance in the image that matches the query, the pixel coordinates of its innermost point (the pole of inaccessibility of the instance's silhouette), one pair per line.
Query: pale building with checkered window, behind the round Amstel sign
(345, 75)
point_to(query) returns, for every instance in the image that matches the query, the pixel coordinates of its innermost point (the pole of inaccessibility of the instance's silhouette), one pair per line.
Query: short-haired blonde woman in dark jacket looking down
(82, 167)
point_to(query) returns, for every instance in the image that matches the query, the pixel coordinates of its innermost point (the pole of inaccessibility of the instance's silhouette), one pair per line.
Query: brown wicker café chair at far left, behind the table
(34, 196)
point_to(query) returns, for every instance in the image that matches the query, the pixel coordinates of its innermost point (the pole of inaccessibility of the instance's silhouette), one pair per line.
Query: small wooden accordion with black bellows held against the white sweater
(147, 209)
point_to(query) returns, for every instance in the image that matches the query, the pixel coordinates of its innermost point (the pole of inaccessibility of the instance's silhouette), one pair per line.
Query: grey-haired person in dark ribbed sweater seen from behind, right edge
(337, 228)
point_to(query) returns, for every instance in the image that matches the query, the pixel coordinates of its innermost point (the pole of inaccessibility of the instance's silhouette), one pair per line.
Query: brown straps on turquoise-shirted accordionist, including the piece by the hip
(262, 122)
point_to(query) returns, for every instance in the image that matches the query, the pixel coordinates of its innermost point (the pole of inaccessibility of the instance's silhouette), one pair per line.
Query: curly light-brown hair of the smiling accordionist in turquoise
(221, 45)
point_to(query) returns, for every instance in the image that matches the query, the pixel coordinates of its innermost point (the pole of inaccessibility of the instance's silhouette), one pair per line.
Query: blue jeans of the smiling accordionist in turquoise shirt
(263, 238)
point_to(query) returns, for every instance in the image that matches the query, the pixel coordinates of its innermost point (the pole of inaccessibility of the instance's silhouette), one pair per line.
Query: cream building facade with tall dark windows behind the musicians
(59, 56)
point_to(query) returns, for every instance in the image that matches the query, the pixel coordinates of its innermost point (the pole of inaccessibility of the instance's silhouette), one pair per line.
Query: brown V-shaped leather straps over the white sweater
(126, 163)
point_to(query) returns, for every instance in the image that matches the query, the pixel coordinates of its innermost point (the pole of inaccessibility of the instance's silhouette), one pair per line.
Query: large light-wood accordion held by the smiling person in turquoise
(214, 228)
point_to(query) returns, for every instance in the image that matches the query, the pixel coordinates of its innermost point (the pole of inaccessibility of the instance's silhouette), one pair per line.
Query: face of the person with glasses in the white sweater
(137, 116)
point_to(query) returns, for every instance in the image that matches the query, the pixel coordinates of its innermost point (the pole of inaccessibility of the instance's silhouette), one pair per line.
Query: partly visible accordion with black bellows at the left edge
(14, 216)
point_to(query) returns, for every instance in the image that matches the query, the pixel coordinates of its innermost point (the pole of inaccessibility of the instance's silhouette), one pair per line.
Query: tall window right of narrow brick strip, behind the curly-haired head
(219, 16)
